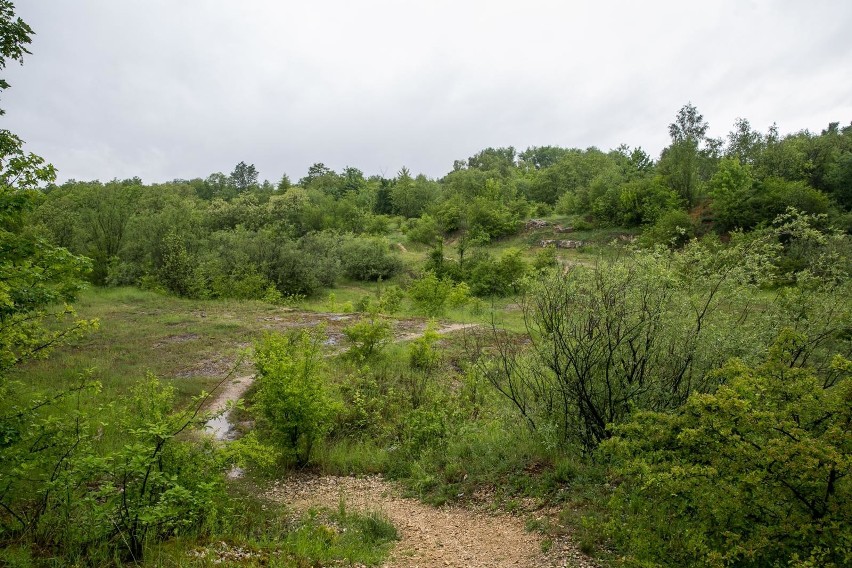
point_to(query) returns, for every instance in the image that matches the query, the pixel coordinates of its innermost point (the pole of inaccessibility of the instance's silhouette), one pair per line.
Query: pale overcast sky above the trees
(165, 89)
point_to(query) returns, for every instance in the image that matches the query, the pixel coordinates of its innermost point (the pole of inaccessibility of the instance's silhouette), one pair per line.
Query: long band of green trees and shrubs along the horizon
(231, 235)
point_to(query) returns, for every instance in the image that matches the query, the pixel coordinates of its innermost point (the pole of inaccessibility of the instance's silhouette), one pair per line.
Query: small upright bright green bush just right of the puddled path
(292, 398)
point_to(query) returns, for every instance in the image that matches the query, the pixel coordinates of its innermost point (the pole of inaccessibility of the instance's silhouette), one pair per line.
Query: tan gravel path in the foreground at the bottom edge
(430, 537)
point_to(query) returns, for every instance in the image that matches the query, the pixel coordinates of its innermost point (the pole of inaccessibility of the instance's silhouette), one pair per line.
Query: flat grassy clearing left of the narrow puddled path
(190, 343)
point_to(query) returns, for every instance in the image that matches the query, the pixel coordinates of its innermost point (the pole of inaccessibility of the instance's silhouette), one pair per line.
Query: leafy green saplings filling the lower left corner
(63, 487)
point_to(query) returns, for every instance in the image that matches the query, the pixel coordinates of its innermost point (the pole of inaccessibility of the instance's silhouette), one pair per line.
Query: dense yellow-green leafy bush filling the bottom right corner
(755, 474)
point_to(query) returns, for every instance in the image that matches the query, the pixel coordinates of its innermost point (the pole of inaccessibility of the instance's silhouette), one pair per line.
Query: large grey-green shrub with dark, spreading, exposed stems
(636, 333)
